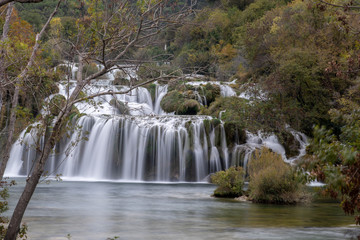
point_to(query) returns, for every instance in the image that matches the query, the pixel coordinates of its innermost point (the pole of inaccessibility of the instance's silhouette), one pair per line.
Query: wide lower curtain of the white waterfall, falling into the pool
(145, 148)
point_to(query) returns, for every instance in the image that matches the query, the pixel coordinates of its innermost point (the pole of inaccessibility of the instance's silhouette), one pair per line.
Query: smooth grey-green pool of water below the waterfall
(98, 210)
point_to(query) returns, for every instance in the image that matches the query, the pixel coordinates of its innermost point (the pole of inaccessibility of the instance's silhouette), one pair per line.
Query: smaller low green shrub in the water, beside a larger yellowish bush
(229, 182)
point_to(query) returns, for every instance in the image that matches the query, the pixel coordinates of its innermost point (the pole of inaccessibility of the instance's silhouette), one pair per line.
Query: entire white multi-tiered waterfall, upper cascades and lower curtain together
(145, 144)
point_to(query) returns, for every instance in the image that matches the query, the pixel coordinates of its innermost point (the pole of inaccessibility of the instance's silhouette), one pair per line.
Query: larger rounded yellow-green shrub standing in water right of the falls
(273, 181)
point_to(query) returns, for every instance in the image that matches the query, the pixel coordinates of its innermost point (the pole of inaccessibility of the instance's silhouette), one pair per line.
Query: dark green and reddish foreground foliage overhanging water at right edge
(336, 154)
